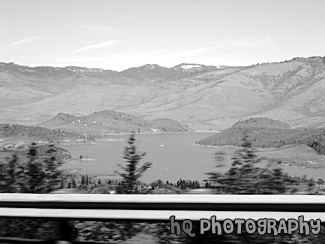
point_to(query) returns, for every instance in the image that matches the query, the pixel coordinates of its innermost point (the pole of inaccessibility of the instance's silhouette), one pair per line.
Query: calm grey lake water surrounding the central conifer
(173, 156)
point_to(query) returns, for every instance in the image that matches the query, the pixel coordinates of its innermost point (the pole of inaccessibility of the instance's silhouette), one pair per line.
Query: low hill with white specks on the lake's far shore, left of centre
(108, 121)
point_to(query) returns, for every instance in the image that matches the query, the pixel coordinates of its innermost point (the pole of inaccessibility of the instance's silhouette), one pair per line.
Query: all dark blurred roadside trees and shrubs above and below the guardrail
(36, 169)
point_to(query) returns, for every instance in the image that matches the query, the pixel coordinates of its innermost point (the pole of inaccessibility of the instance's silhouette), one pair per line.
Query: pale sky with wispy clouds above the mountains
(119, 34)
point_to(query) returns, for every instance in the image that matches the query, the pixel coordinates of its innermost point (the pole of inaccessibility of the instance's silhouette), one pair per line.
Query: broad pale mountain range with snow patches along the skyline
(203, 97)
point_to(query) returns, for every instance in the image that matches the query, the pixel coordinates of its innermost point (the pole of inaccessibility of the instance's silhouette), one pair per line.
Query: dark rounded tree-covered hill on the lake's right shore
(264, 133)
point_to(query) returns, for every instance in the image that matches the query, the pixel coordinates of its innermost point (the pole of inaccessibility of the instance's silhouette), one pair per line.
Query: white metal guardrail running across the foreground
(159, 208)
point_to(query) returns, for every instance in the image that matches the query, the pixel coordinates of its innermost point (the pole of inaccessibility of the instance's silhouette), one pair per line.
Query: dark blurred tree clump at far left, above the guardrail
(33, 172)
